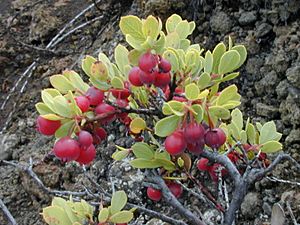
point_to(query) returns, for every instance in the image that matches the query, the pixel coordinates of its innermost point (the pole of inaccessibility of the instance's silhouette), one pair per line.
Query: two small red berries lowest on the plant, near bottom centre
(156, 195)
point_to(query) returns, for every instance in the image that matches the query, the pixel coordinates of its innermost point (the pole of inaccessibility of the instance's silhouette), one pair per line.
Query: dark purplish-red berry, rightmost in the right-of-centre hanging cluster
(215, 138)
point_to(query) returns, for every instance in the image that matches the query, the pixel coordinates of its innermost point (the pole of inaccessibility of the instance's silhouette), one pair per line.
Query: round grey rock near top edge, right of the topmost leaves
(220, 22)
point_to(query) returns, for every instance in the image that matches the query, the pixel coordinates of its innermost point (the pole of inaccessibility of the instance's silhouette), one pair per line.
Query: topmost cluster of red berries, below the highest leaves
(152, 69)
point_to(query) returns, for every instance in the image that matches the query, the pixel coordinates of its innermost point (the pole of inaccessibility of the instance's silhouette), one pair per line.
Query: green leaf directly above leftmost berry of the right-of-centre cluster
(167, 125)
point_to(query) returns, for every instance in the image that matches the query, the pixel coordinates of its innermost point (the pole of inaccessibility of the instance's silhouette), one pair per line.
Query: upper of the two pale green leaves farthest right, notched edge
(268, 133)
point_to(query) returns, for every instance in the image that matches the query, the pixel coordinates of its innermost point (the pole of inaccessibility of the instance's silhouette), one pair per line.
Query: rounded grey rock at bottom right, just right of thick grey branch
(251, 205)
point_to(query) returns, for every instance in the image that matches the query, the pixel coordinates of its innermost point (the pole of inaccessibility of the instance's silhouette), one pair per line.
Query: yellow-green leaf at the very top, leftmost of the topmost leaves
(132, 25)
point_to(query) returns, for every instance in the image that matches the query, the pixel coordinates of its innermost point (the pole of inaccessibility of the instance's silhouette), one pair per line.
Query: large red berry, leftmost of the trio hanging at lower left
(66, 149)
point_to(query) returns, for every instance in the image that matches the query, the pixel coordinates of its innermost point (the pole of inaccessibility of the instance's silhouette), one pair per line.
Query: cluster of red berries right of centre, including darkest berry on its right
(194, 137)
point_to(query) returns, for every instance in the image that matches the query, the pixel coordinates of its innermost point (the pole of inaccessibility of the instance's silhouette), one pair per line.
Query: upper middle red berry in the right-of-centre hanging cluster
(193, 132)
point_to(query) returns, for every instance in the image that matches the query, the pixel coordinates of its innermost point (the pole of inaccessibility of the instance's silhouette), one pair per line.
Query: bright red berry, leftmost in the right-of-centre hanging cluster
(175, 143)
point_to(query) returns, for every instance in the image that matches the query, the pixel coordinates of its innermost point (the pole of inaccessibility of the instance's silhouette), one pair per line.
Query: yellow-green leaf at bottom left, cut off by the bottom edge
(54, 215)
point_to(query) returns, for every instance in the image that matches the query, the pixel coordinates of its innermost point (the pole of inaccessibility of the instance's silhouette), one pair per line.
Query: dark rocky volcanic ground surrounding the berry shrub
(269, 84)
